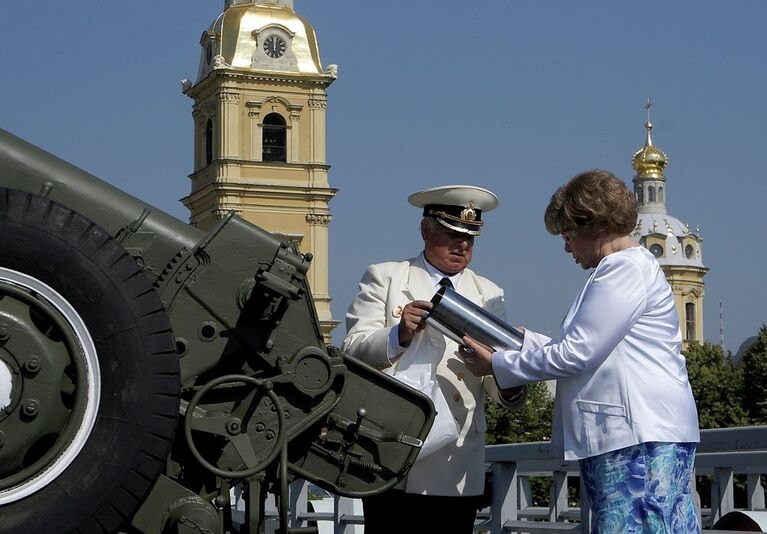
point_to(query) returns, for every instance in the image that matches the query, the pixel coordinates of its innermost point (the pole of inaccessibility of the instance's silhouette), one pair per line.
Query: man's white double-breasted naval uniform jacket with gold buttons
(456, 468)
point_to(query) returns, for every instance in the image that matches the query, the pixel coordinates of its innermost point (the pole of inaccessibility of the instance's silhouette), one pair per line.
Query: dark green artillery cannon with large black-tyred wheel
(148, 368)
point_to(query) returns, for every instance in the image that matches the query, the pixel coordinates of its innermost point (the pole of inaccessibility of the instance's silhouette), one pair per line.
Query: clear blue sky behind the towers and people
(515, 96)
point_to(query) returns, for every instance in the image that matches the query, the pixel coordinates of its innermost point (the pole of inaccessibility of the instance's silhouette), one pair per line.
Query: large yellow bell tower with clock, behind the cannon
(259, 131)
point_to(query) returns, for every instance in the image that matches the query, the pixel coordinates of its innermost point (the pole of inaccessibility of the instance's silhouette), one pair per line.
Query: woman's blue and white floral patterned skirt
(645, 488)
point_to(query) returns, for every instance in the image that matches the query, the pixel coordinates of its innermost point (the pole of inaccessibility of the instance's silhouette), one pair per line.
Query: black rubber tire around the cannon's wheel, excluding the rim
(130, 441)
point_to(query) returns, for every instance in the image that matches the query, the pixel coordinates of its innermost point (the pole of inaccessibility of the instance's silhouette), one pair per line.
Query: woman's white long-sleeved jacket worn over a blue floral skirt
(621, 379)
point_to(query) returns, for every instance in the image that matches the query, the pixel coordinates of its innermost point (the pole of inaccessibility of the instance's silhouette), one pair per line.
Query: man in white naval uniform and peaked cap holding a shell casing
(386, 329)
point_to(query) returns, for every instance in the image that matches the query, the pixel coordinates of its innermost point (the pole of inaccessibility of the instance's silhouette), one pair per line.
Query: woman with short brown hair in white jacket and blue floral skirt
(624, 406)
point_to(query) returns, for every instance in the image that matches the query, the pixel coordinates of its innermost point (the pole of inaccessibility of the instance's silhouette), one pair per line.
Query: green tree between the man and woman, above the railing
(532, 422)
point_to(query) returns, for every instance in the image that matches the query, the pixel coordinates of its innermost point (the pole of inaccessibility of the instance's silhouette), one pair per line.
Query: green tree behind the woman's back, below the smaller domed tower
(716, 385)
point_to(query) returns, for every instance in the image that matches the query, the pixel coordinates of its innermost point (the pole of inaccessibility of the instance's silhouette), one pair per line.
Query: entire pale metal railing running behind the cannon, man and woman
(724, 455)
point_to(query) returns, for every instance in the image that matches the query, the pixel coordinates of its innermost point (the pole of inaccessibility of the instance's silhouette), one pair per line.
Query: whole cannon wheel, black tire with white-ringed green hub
(89, 376)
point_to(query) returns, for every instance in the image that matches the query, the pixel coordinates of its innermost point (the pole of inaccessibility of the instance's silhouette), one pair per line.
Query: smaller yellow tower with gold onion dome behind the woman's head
(678, 249)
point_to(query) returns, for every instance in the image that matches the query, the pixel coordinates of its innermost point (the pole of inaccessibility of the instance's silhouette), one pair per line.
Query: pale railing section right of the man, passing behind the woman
(723, 454)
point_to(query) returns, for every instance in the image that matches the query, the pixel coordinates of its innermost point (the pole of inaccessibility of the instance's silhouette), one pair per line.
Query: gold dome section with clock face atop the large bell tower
(242, 35)
